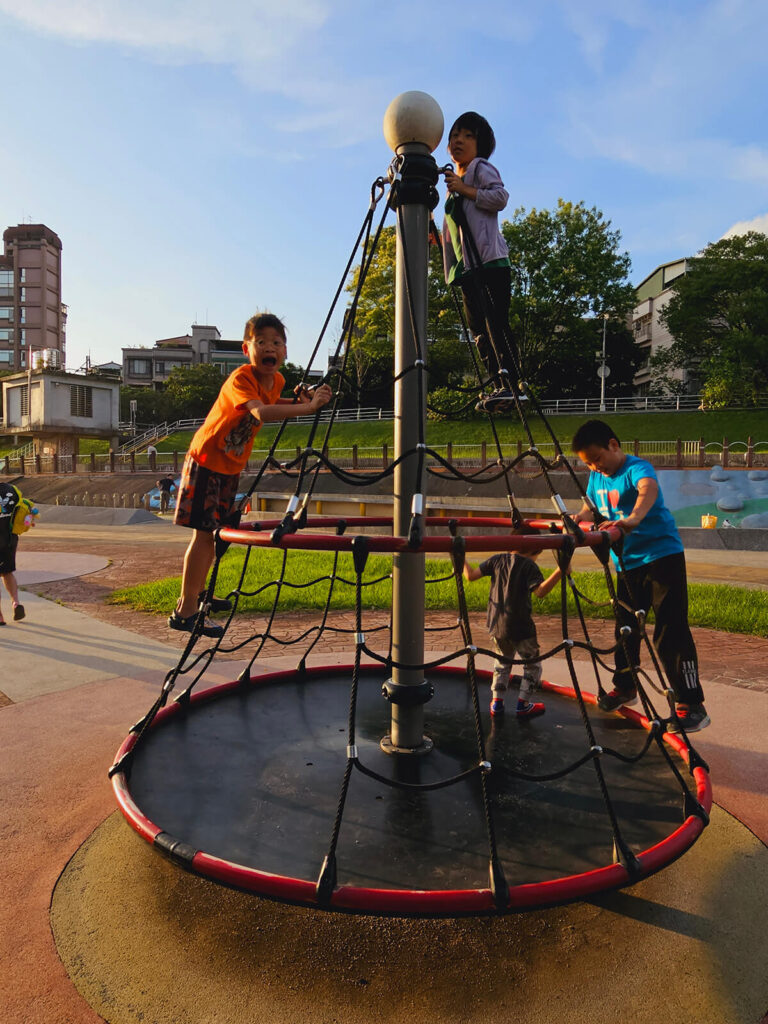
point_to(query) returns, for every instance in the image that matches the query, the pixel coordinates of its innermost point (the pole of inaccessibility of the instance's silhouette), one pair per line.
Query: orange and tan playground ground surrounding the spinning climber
(96, 926)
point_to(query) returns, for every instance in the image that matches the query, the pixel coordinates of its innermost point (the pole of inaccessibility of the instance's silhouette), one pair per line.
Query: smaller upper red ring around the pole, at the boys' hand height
(260, 535)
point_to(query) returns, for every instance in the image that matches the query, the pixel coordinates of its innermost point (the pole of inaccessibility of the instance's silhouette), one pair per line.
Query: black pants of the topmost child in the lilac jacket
(487, 293)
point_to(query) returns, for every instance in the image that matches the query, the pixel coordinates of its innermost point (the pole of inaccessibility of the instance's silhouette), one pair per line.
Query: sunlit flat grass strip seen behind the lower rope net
(717, 607)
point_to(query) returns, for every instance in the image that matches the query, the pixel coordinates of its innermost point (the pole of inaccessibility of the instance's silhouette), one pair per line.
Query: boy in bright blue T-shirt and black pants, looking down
(625, 491)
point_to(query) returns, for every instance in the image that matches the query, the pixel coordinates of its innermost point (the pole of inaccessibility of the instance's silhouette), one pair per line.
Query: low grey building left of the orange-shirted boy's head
(152, 367)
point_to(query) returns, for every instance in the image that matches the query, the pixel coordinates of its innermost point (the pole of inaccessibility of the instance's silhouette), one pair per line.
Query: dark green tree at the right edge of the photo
(718, 318)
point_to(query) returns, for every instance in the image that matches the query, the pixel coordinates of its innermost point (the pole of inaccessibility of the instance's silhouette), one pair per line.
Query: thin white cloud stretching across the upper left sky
(289, 50)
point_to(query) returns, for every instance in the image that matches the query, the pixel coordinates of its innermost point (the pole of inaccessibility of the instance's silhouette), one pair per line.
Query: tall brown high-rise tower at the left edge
(33, 319)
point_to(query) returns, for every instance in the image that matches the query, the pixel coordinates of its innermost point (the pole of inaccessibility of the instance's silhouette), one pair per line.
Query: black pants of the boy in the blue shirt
(663, 586)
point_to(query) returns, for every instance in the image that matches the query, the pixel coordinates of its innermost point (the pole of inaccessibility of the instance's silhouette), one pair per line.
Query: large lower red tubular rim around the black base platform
(424, 903)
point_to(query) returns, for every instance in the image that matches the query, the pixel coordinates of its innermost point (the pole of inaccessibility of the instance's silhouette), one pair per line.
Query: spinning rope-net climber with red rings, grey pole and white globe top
(380, 786)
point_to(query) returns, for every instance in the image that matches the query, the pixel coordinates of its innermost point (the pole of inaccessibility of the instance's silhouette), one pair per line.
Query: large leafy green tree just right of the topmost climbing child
(568, 271)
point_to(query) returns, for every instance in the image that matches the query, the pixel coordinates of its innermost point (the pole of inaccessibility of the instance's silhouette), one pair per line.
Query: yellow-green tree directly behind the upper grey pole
(371, 361)
